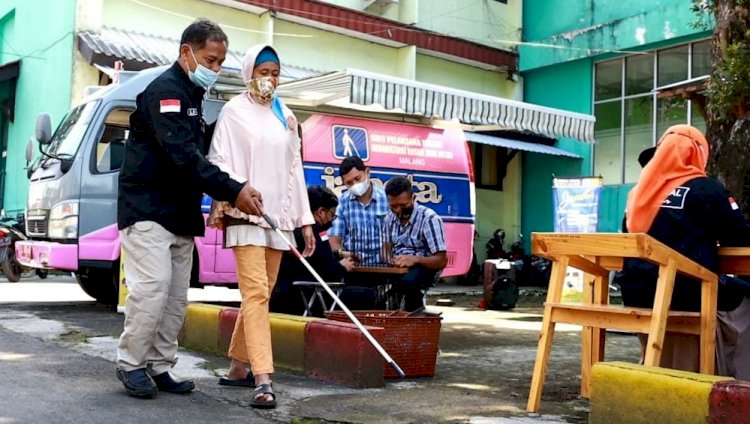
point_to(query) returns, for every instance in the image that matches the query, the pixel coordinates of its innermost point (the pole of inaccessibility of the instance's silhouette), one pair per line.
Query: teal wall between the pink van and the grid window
(567, 87)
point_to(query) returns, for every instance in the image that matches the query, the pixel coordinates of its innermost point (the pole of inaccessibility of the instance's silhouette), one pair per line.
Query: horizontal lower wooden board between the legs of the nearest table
(634, 323)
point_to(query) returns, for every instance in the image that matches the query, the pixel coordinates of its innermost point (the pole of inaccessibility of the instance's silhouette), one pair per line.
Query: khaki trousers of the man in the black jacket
(157, 273)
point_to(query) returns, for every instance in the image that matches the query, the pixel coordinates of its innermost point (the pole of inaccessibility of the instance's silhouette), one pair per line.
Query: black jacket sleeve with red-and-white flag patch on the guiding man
(174, 132)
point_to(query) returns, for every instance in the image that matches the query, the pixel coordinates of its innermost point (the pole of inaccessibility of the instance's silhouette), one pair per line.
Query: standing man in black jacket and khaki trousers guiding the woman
(162, 181)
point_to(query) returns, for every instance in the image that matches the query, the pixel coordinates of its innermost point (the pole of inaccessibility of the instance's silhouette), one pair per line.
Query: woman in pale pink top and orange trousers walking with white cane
(256, 140)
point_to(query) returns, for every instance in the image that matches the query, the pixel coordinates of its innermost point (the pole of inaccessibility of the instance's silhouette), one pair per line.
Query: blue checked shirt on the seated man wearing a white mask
(361, 226)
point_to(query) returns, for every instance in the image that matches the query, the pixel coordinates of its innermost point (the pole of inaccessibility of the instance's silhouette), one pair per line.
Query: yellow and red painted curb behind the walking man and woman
(329, 350)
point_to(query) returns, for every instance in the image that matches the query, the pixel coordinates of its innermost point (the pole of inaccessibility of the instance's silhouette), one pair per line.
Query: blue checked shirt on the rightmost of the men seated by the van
(423, 235)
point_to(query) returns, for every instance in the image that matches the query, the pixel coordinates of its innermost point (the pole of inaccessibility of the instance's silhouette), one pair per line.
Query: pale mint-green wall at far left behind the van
(44, 83)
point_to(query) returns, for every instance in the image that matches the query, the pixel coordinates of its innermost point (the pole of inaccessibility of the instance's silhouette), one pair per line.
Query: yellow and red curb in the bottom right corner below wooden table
(634, 394)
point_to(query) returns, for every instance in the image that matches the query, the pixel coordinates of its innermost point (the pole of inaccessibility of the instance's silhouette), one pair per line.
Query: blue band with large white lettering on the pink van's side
(446, 194)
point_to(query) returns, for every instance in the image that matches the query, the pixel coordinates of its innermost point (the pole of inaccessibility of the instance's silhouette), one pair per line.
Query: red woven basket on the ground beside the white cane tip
(412, 341)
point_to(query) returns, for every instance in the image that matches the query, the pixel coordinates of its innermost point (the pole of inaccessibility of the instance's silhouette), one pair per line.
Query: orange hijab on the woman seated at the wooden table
(680, 156)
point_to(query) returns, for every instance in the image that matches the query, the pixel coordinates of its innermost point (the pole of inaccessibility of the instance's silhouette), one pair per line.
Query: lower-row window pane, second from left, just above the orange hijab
(639, 133)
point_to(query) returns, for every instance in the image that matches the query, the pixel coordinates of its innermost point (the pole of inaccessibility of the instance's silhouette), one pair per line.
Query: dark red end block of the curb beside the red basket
(337, 352)
